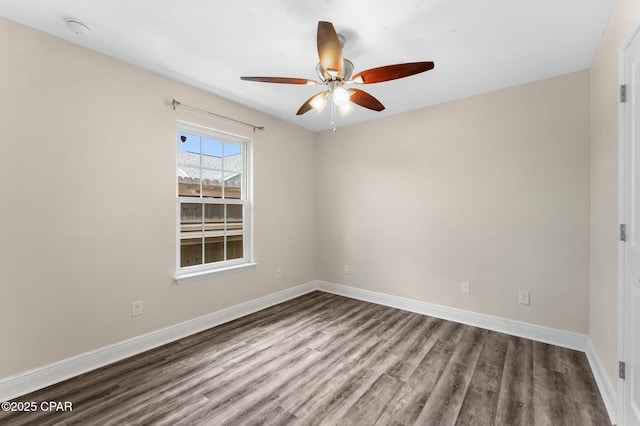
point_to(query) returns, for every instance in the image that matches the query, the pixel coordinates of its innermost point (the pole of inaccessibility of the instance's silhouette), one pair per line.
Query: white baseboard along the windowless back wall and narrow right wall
(538, 333)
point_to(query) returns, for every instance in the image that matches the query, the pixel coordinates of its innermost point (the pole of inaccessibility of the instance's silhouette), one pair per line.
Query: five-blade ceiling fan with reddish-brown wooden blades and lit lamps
(334, 71)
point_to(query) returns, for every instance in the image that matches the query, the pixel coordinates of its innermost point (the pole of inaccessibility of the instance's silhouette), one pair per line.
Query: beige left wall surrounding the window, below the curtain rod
(88, 201)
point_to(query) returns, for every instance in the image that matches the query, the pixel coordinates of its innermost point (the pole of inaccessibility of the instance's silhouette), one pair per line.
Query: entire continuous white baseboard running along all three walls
(21, 384)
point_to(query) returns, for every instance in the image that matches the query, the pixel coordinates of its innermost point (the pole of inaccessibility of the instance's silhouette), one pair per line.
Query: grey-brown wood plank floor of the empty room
(326, 359)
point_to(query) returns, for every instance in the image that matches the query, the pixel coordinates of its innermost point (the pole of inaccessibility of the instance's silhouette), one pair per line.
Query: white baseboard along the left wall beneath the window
(23, 383)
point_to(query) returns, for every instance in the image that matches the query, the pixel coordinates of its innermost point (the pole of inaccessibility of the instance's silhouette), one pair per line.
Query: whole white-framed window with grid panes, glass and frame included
(214, 203)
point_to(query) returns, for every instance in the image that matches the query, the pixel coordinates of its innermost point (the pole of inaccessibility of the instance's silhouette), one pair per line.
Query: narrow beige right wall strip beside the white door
(603, 312)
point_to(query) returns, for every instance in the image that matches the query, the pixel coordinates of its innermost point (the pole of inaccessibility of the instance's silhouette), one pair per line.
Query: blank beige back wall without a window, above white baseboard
(492, 189)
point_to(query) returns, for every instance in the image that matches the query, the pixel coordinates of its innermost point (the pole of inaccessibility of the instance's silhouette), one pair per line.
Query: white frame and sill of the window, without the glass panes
(208, 270)
